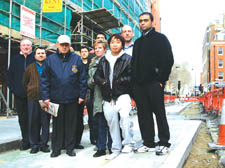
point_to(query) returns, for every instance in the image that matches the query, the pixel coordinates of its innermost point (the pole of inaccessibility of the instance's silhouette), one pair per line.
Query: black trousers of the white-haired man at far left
(21, 108)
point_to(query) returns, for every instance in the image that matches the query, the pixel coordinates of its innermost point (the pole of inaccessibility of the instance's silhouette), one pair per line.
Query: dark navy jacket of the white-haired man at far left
(15, 72)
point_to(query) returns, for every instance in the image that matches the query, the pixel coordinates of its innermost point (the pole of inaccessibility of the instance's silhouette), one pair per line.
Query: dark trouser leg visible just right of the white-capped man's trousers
(80, 124)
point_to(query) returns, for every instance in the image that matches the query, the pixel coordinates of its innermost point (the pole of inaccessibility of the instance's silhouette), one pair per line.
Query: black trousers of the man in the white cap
(64, 127)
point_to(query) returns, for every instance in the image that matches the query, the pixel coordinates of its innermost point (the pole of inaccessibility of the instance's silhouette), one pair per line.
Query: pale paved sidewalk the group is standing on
(183, 133)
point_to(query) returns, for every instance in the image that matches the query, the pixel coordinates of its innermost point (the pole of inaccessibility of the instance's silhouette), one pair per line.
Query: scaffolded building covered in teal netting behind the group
(80, 19)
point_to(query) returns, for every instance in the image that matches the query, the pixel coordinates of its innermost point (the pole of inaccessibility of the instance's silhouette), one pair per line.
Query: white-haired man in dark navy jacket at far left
(16, 69)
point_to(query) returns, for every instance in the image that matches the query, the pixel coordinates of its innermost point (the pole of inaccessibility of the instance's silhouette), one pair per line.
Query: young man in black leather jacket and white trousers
(113, 77)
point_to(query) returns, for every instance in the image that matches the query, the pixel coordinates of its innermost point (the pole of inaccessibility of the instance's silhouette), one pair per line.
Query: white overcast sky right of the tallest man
(184, 23)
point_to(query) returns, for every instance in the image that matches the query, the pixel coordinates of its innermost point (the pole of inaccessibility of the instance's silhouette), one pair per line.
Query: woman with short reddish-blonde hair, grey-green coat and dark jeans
(103, 136)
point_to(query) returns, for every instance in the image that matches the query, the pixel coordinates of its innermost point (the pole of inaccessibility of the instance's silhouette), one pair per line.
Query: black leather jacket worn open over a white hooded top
(121, 77)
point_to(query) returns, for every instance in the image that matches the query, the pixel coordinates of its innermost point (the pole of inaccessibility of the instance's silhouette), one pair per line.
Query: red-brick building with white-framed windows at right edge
(213, 57)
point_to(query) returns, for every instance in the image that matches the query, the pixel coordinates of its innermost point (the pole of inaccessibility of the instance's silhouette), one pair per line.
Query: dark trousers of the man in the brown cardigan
(39, 121)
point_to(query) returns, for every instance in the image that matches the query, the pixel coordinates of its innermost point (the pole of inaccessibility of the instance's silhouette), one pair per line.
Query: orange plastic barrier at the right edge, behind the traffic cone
(212, 101)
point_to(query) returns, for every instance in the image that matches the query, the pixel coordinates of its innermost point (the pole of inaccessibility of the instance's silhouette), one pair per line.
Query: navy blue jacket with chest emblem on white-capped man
(63, 80)
